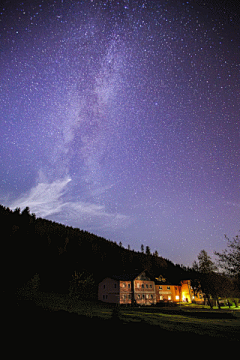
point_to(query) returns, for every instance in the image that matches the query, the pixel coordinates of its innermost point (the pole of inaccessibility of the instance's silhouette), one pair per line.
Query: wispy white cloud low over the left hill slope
(47, 199)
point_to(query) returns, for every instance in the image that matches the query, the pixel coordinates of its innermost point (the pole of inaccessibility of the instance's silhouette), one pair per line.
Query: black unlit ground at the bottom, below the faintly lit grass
(30, 328)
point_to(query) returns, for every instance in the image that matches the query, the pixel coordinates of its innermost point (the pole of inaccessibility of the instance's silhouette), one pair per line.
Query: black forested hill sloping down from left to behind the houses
(33, 245)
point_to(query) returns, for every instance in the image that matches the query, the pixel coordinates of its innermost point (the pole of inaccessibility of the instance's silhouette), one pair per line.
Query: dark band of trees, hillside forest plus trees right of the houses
(64, 259)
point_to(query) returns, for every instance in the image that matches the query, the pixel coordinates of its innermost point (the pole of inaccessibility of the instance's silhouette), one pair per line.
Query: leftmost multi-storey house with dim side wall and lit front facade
(136, 288)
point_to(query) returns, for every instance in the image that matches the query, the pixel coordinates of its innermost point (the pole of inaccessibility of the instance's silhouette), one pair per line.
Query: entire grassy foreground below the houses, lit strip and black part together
(48, 318)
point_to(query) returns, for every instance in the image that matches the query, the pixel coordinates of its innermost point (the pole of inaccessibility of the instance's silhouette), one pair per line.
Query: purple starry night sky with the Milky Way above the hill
(122, 118)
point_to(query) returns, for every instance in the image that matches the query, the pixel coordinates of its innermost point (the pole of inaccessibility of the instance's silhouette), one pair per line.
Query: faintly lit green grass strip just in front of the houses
(189, 319)
